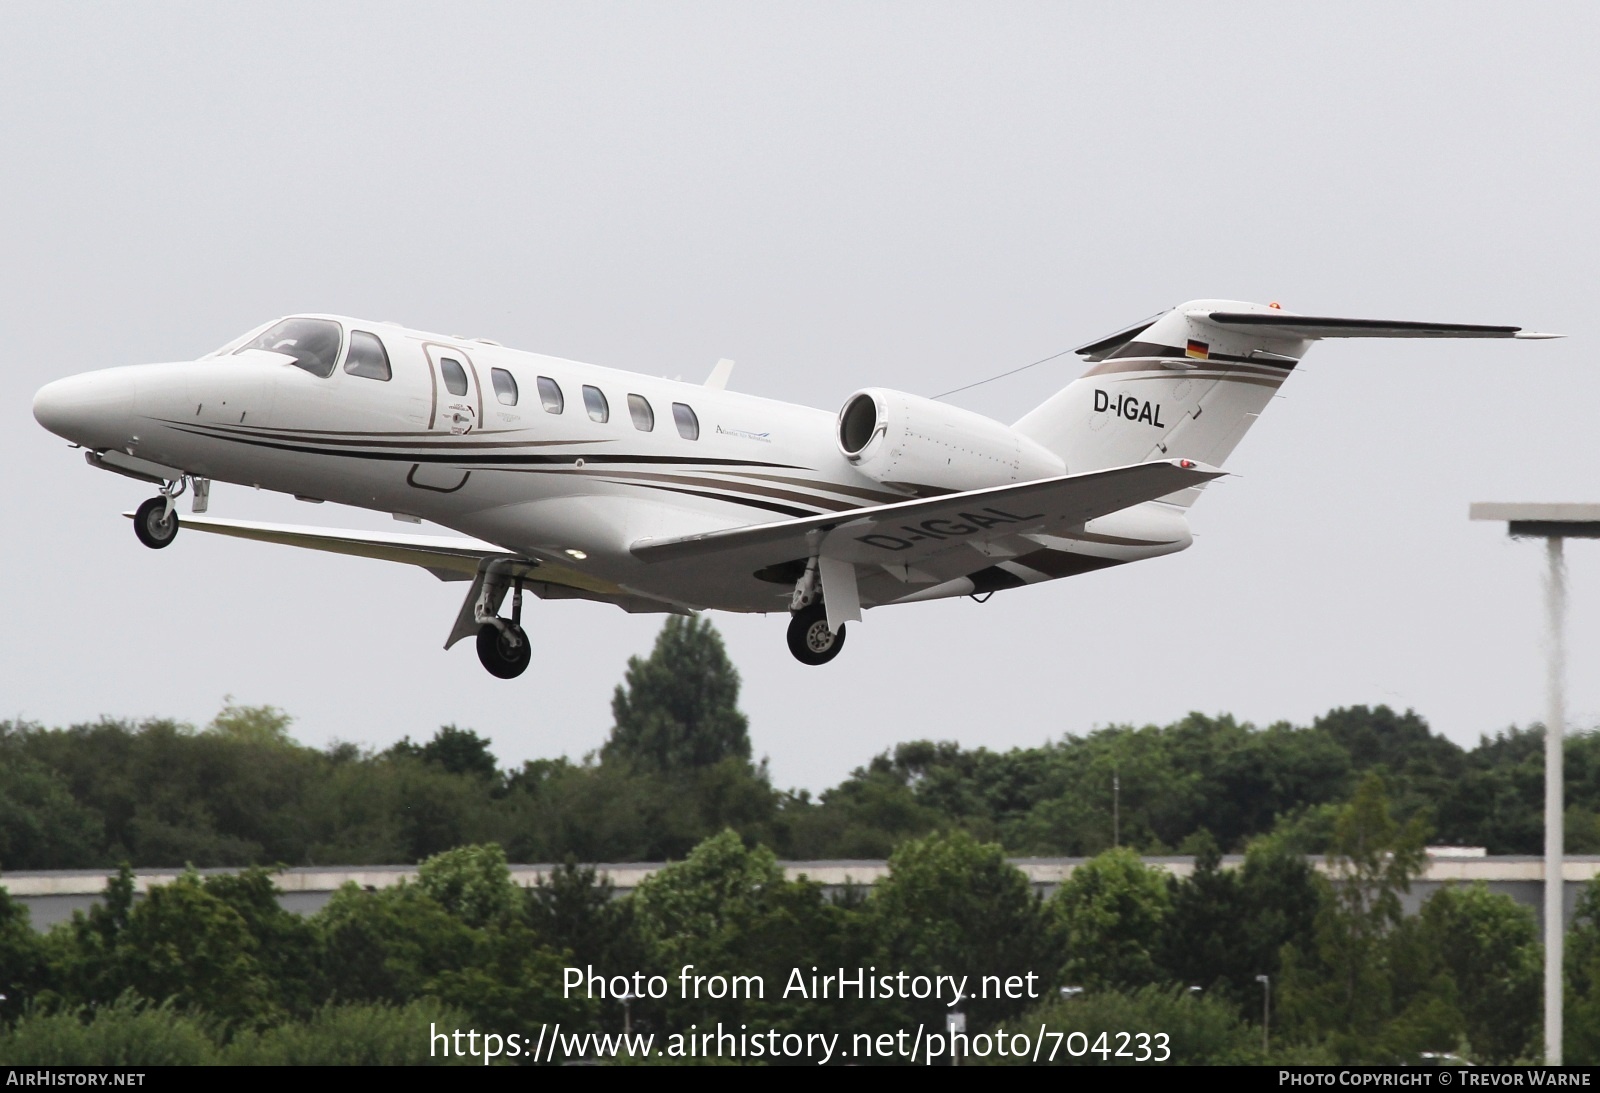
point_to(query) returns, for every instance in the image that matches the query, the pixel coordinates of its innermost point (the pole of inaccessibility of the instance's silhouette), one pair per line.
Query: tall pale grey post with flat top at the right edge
(1554, 524)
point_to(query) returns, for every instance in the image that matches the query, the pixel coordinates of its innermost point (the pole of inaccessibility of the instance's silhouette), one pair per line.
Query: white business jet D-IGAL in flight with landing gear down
(578, 481)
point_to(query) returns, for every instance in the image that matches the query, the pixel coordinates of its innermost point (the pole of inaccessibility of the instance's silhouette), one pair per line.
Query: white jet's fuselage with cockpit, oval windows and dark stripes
(550, 458)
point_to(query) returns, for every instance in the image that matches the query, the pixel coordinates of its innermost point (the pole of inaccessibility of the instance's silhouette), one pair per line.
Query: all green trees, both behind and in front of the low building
(212, 969)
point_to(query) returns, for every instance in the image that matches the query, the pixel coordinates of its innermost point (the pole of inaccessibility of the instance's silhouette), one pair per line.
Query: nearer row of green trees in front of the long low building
(212, 969)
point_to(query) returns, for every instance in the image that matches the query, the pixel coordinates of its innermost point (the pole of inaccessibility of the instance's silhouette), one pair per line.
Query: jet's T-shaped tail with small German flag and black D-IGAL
(1193, 382)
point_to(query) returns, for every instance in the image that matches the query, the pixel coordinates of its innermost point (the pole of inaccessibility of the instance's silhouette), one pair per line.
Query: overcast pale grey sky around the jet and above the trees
(836, 196)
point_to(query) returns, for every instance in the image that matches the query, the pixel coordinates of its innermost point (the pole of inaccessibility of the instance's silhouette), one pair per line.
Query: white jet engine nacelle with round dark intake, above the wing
(908, 441)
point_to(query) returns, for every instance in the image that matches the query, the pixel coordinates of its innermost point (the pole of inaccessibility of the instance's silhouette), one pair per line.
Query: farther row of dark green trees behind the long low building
(678, 771)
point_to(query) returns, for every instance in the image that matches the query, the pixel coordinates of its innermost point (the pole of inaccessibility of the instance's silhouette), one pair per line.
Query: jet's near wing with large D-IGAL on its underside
(914, 532)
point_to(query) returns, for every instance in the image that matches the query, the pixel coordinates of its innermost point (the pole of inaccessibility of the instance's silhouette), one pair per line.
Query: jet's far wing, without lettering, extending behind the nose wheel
(447, 558)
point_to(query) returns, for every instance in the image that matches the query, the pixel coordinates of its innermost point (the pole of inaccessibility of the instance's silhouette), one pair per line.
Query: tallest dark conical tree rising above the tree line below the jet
(679, 710)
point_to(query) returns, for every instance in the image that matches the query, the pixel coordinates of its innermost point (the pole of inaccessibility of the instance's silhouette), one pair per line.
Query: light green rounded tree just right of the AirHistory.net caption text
(1111, 915)
